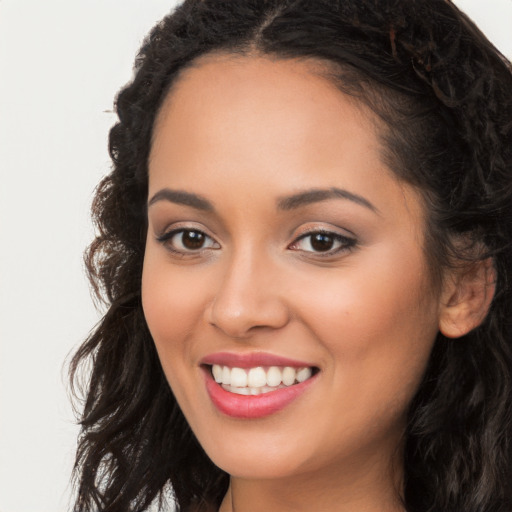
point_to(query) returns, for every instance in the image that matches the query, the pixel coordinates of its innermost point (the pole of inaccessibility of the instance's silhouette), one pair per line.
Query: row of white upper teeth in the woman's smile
(259, 377)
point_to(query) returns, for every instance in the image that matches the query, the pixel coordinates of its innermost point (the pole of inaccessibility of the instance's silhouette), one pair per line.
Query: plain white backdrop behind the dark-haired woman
(61, 63)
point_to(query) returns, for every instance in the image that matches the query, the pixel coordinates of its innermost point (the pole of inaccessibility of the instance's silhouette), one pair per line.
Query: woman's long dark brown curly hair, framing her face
(444, 94)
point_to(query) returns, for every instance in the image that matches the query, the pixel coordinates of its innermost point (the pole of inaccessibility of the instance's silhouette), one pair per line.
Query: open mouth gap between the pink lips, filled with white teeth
(259, 380)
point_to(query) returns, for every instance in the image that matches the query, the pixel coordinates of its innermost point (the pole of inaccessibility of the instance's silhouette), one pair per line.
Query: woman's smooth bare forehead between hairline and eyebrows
(266, 125)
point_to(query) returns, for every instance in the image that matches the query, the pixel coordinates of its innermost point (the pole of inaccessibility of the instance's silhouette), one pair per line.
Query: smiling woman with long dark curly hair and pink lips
(305, 249)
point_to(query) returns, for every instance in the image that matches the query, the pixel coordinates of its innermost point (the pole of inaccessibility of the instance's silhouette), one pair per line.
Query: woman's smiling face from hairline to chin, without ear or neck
(280, 247)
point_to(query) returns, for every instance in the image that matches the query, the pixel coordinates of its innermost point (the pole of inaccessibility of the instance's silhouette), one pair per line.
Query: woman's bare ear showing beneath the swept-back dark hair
(466, 298)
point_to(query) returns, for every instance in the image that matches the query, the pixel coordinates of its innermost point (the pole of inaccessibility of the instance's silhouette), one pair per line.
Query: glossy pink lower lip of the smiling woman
(253, 406)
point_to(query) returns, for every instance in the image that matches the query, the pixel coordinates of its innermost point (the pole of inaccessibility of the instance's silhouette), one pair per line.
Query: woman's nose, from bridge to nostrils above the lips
(249, 298)
